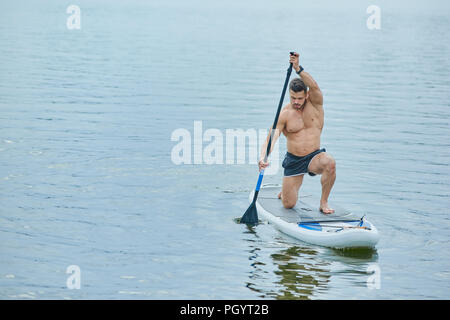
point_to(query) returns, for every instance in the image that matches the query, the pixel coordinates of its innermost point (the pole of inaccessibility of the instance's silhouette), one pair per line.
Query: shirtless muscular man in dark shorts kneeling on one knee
(301, 121)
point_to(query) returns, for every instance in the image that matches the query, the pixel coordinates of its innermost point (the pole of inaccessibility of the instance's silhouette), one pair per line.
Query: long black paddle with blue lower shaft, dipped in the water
(251, 215)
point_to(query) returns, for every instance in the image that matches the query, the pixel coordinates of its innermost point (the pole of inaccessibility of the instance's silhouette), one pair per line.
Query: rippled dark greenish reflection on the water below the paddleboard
(301, 271)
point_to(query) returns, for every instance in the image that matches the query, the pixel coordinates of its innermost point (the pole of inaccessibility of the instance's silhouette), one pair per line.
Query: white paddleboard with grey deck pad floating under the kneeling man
(305, 222)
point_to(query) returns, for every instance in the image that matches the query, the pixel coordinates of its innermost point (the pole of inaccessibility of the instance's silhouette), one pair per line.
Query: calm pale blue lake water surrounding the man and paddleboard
(87, 176)
